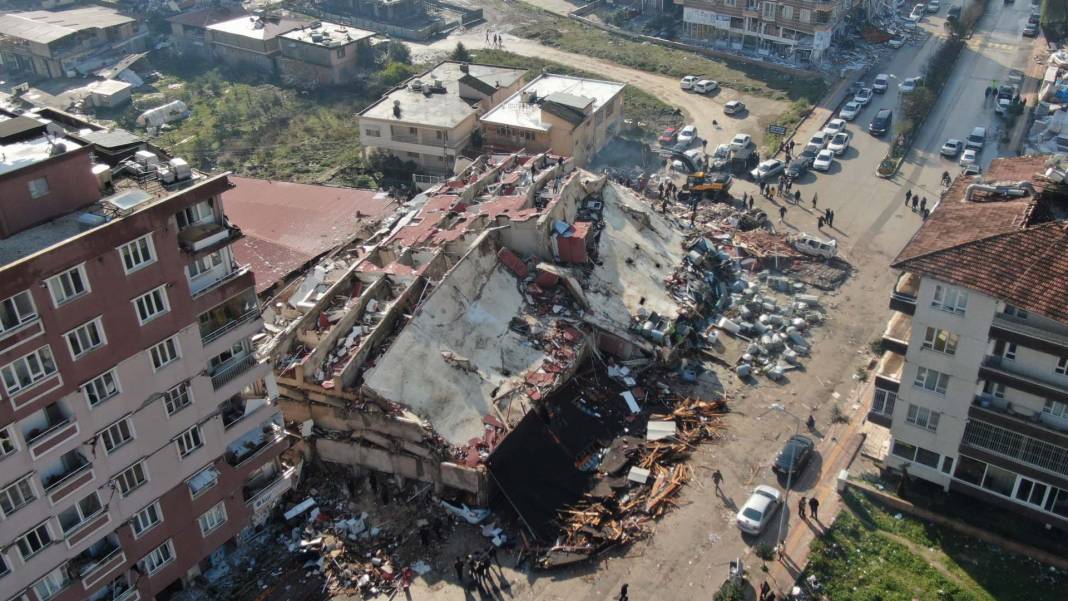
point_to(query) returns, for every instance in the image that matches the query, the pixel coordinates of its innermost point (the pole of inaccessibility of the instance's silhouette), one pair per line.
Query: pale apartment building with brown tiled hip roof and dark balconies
(975, 382)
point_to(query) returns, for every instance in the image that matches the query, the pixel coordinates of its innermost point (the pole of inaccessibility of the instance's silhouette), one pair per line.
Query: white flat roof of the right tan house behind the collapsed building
(561, 89)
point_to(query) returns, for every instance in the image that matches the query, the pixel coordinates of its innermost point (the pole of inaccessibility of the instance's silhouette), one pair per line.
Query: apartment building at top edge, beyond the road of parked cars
(799, 30)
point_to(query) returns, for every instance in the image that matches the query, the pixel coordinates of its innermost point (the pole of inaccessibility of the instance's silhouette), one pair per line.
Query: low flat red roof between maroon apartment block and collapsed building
(289, 225)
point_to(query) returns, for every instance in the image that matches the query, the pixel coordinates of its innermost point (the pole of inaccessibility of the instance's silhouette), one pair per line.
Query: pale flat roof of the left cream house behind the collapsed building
(446, 109)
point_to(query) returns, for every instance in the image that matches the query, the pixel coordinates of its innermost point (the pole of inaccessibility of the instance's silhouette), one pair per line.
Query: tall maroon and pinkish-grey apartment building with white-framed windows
(139, 438)
